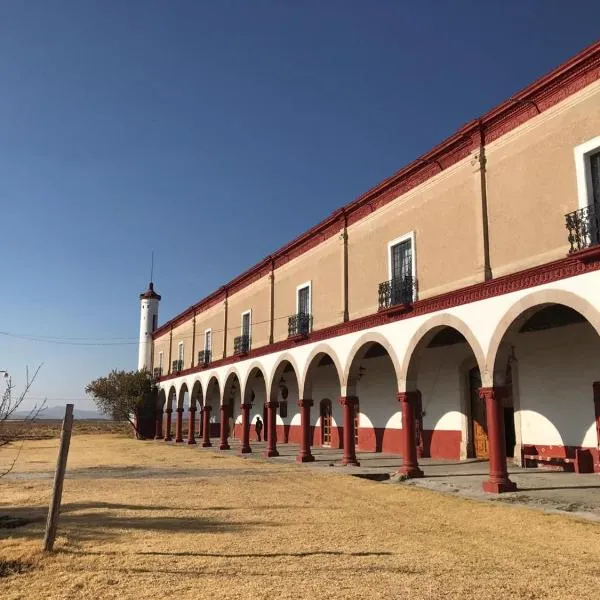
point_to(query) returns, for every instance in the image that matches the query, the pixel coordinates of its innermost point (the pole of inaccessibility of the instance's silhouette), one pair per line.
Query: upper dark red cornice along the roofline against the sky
(567, 79)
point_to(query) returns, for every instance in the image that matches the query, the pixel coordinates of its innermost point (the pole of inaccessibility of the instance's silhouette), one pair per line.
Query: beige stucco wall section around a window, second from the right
(443, 213)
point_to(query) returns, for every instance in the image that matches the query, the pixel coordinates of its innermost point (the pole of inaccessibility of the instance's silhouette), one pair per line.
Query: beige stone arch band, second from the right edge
(424, 335)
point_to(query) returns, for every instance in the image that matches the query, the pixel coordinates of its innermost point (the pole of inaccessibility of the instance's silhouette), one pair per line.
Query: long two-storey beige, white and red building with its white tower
(452, 311)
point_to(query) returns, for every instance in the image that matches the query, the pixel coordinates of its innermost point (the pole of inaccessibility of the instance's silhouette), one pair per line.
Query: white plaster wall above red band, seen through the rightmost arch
(556, 371)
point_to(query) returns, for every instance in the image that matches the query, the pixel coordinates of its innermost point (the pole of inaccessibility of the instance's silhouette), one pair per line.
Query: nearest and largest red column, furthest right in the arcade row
(498, 481)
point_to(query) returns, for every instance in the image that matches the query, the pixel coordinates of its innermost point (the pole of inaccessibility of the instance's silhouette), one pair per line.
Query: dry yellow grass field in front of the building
(147, 519)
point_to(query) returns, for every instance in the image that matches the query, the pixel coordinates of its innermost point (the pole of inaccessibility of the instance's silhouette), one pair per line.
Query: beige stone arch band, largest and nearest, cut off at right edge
(522, 309)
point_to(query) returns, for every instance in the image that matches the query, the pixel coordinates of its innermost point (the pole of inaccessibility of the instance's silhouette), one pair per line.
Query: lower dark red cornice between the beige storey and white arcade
(561, 269)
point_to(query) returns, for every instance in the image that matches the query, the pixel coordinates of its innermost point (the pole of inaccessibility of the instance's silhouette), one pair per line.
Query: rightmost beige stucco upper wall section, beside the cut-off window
(531, 183)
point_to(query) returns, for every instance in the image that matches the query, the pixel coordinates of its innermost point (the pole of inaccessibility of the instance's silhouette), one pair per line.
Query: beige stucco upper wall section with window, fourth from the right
(256, 297)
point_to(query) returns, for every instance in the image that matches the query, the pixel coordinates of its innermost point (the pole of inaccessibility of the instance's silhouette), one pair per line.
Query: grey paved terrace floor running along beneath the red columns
(551, 491)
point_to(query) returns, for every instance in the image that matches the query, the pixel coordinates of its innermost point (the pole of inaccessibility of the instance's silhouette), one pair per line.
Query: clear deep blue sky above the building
(214, 132)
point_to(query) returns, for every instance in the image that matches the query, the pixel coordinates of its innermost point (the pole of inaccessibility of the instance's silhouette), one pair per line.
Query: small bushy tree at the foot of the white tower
(125, 396)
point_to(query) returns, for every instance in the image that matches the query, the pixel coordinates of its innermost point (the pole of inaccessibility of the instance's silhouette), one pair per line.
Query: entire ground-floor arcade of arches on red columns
(533, 399)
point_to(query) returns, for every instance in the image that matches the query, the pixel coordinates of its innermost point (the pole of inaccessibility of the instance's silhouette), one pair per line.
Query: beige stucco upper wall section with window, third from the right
(322, 267)
